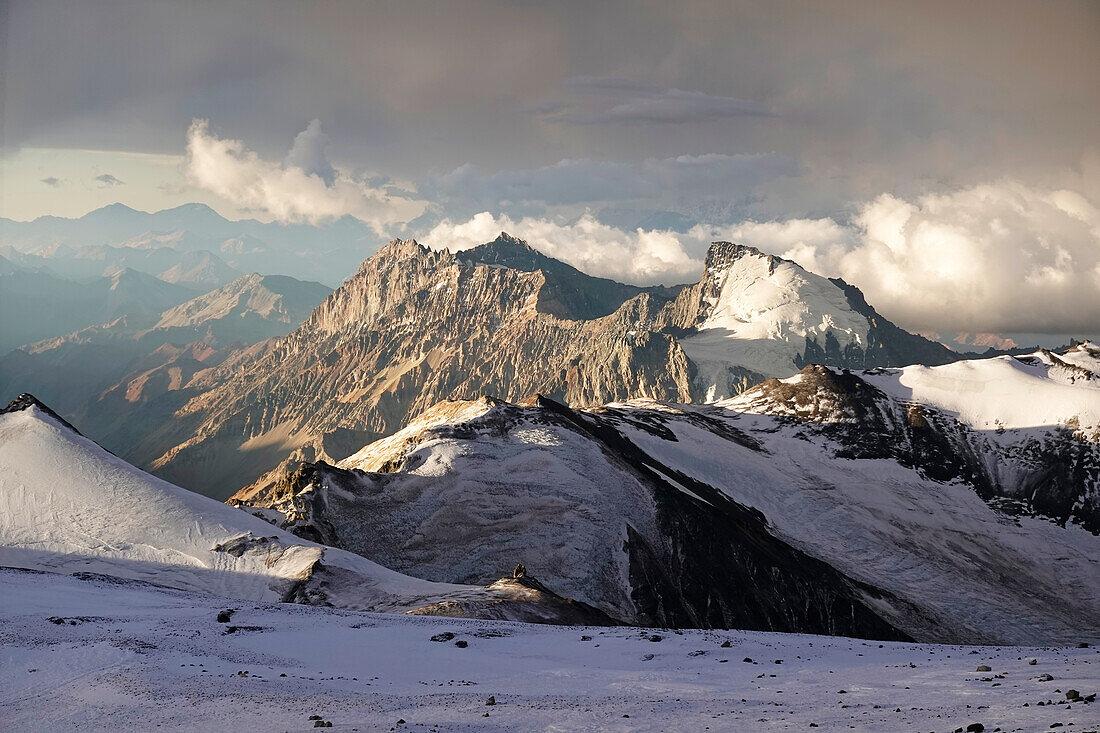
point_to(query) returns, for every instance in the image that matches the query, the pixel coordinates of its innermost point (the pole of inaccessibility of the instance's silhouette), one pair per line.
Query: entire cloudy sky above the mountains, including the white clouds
(873, 139)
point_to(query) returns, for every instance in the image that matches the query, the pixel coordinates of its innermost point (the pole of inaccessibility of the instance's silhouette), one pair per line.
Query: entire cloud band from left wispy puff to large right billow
(999, 256)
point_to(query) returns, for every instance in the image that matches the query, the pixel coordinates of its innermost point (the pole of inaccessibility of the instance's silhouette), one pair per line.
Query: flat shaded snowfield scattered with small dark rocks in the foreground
(126, 655)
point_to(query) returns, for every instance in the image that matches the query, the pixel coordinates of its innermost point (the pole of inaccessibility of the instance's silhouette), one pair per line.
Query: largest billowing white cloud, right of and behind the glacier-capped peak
(999, 257)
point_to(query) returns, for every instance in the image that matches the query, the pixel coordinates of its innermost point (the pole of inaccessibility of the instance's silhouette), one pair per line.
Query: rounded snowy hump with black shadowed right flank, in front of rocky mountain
(474, 487)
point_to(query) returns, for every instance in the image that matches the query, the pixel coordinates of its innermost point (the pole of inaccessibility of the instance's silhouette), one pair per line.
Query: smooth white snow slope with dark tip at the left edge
(69, 506)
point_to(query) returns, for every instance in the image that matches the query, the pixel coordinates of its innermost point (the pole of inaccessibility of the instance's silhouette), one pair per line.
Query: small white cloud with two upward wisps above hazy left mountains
(304, 189)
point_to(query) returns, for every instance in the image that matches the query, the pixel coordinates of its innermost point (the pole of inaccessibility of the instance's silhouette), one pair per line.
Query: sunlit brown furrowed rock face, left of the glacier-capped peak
(414, 327)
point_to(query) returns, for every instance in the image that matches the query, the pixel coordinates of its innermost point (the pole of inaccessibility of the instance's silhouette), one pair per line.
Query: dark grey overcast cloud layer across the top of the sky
(867, 96)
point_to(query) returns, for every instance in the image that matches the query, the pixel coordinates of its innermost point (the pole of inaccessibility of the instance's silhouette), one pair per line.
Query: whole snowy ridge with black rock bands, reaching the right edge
(831, 501)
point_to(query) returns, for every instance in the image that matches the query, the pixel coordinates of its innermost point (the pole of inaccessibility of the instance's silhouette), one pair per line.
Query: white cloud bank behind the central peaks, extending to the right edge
(998, 257)
